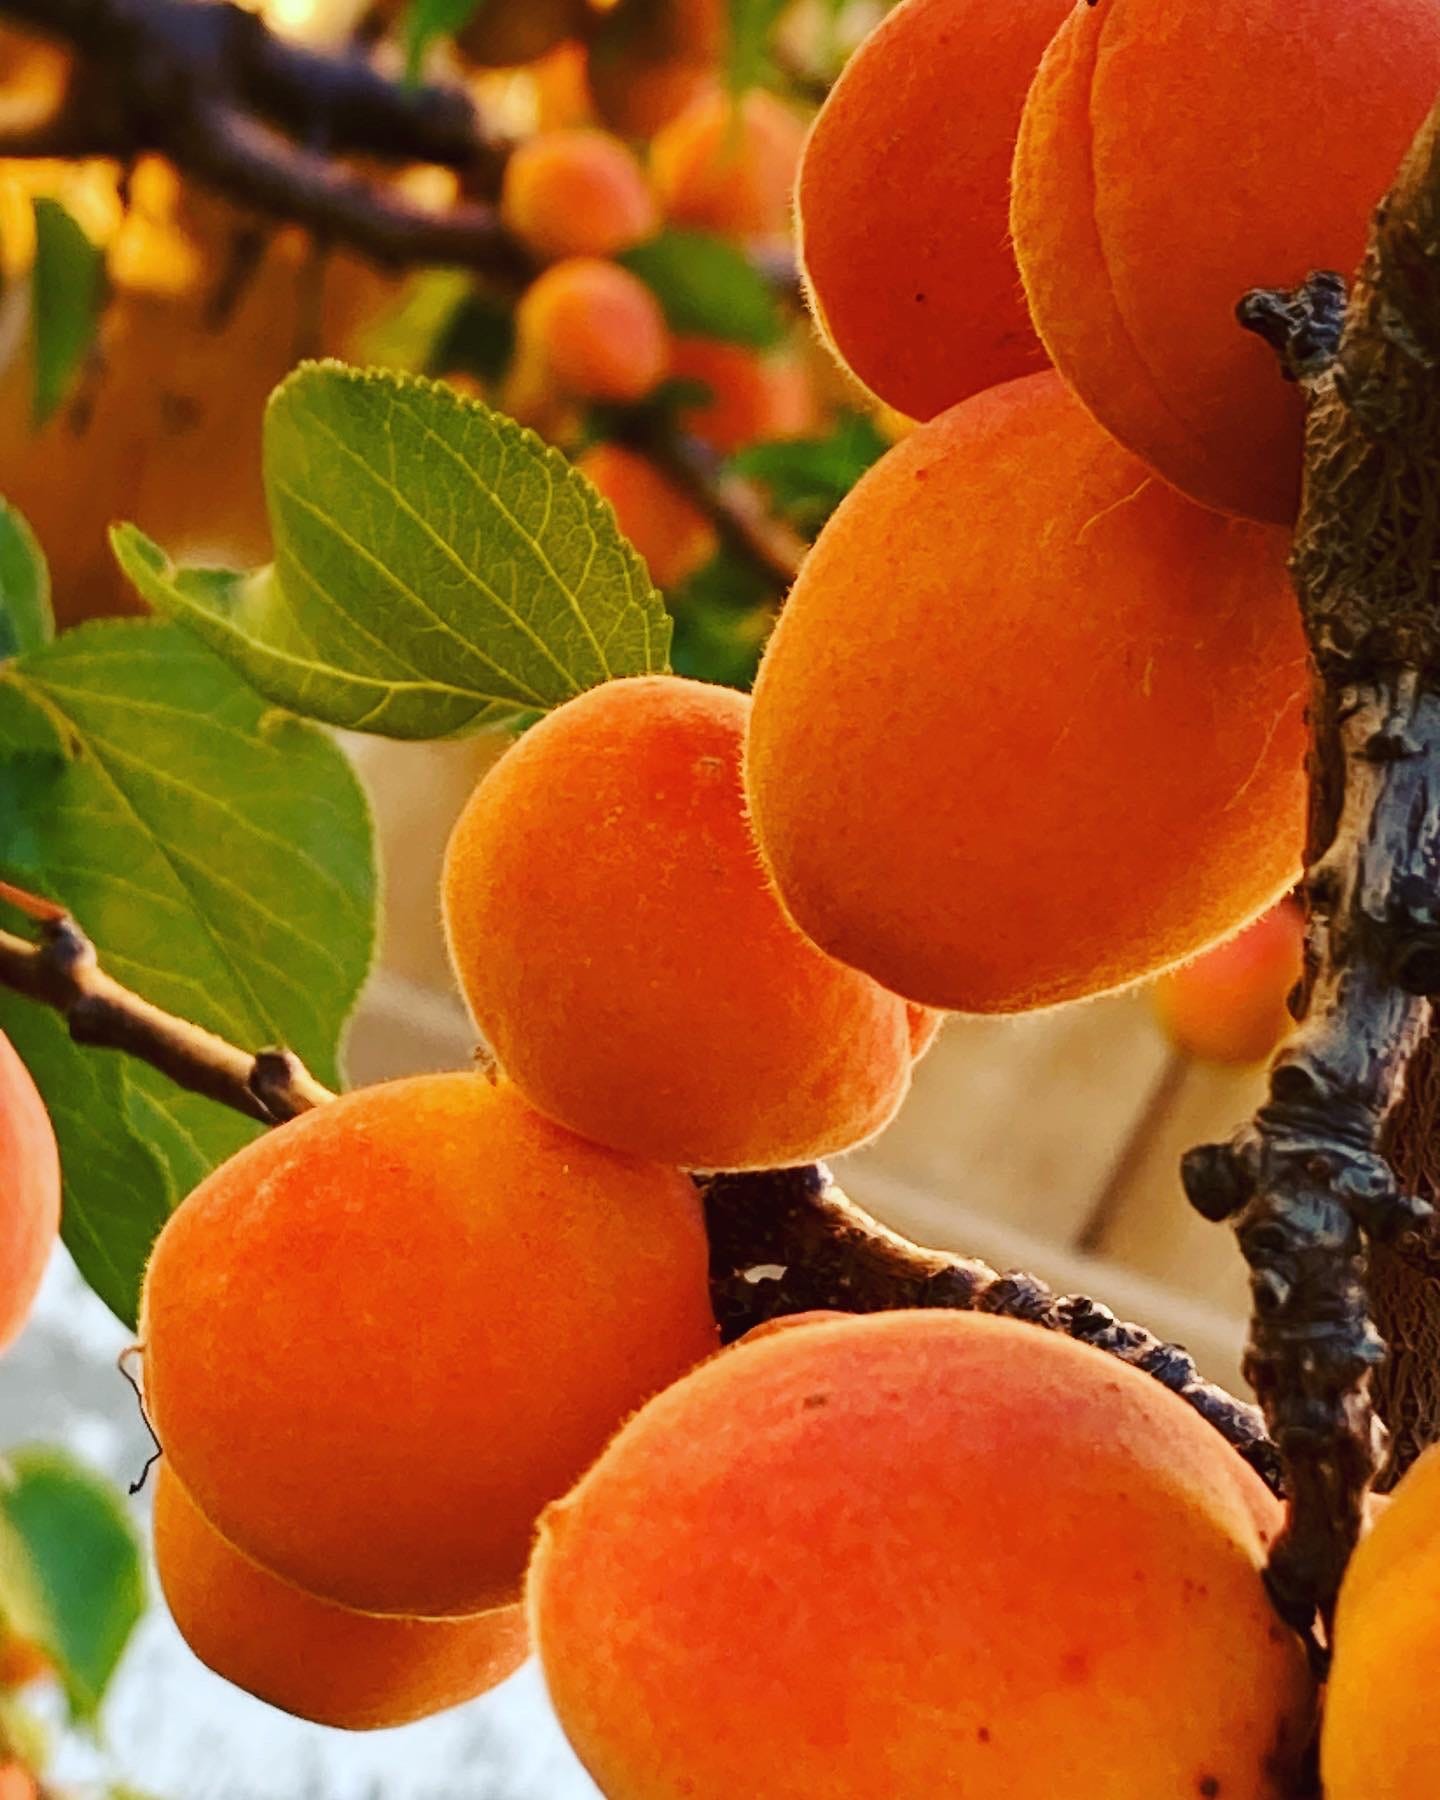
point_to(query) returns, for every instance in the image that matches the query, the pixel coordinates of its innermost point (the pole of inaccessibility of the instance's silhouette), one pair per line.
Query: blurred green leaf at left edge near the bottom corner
(71, 1569)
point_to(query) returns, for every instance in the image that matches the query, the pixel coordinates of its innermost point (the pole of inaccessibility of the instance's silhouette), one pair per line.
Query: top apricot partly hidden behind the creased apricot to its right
(904, 195)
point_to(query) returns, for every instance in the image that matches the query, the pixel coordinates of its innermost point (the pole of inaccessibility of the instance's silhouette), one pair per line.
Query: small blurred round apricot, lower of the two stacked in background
(595, 330)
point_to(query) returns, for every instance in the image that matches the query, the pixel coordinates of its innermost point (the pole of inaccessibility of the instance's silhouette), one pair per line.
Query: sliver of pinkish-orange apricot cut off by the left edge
(30, 1192)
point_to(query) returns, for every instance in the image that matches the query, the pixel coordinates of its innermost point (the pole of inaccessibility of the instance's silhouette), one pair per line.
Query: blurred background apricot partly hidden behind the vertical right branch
(1230, 1003)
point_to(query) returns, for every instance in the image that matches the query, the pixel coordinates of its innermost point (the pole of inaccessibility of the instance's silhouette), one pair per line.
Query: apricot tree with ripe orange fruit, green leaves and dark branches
(1030, 728)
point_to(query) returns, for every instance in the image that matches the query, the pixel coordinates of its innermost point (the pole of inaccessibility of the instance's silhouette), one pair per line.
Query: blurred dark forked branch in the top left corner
(244, 112)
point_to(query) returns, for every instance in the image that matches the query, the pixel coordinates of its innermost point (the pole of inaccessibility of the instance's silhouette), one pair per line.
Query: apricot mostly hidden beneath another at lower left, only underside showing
(323, 1662)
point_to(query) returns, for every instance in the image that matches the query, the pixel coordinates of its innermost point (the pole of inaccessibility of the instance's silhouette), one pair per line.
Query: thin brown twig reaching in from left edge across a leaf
(62, 969)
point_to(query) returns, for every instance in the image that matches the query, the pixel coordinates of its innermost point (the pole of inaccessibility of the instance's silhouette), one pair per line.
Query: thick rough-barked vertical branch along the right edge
(1306, 1183)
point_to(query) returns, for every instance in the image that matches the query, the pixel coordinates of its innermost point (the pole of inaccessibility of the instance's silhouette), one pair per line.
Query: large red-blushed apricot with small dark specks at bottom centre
(919, 1554)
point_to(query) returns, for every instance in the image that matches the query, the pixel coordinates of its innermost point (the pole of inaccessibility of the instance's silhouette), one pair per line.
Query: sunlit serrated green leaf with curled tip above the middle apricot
(438, 568)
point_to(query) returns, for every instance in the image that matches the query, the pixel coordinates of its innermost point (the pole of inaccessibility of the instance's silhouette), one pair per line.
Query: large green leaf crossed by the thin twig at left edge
(220, 858)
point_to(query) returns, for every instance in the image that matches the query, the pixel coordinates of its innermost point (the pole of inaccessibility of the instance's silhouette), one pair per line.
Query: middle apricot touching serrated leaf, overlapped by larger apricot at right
(631, 966)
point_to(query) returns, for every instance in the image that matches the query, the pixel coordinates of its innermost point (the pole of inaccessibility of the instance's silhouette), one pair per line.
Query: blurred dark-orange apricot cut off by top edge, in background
(652, 58)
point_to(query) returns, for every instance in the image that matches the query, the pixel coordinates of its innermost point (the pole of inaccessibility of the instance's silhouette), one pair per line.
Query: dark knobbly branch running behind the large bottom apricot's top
(789, 1241)
